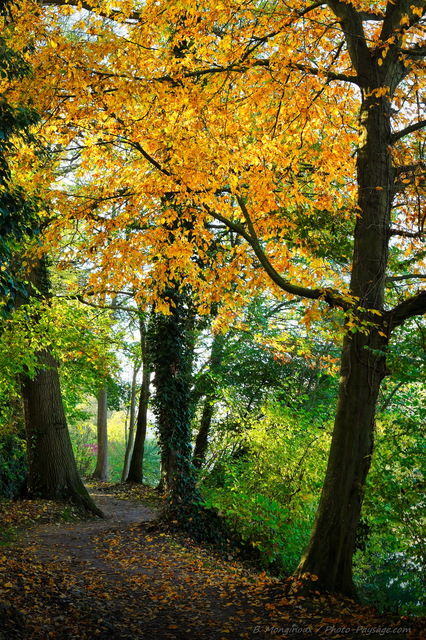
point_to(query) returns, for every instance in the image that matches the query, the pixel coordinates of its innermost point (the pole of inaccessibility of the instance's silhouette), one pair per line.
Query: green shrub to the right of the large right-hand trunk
(388, 572)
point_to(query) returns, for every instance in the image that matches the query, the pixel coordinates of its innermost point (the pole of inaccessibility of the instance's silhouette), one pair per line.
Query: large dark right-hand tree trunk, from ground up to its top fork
(363, 365)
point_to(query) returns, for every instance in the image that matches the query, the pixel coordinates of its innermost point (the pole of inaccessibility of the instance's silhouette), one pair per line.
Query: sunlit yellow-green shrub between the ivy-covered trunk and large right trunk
(268, 493)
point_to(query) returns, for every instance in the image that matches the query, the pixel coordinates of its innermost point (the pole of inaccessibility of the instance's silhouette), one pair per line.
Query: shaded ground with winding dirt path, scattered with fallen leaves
(119, 580)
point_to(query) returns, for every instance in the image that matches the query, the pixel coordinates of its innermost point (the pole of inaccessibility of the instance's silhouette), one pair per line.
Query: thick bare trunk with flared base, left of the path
(52, 470)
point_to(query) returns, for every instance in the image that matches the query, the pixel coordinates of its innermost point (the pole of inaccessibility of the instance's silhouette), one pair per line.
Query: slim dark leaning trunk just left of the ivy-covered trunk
(135, 473)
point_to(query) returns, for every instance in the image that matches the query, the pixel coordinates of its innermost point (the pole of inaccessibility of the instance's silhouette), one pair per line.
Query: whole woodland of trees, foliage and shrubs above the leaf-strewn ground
(242, 186)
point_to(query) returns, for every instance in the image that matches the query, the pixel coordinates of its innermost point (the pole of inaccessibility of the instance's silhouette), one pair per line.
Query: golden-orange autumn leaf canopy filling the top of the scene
(236, 113)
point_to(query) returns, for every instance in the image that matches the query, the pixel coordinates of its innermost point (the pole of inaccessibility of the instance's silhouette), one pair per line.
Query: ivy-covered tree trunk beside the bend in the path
(171, 346)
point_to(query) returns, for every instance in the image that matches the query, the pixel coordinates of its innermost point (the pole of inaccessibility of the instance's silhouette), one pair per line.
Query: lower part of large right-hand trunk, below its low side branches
(331, 546)
